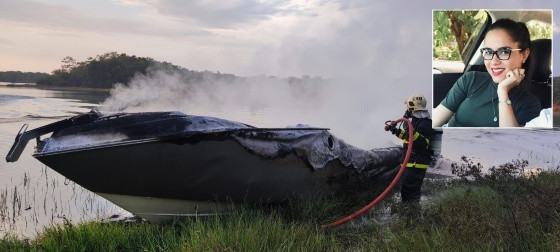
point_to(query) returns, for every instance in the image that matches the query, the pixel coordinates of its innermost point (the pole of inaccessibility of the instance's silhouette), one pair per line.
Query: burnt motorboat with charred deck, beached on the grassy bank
(161, 165)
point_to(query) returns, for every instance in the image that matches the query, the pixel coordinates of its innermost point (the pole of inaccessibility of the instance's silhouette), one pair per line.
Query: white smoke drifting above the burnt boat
(349, 108)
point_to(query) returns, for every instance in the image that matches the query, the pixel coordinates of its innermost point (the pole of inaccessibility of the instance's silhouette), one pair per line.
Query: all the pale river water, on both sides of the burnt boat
(33, 197)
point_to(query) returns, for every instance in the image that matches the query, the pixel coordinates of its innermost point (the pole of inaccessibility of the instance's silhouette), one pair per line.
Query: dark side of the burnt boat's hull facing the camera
(220, 170)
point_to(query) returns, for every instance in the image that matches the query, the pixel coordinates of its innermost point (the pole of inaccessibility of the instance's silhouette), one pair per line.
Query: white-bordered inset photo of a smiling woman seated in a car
(492, 68)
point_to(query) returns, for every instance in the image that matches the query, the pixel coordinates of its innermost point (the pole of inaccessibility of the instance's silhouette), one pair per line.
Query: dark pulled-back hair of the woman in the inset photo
(520, 34)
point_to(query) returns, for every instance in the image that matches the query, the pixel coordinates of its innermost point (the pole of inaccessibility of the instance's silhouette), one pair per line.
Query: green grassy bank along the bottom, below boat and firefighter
(510, 208)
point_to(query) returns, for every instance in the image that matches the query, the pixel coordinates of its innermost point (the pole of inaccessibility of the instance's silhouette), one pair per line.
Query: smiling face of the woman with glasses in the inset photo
(497, 68)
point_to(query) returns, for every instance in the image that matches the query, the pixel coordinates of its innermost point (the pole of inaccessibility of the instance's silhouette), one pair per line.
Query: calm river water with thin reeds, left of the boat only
(32, 196)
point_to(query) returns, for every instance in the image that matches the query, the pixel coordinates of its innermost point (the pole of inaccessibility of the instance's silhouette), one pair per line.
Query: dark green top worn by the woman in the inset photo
(474, 100)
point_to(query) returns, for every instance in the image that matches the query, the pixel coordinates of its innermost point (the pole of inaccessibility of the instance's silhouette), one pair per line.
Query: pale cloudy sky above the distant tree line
(243, 37)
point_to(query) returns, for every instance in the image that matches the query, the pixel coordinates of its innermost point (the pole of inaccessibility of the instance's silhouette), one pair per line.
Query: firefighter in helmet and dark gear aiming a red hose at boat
(418, 163)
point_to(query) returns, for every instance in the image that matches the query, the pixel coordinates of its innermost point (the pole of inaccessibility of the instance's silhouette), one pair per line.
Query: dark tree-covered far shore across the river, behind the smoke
(109, 69)
